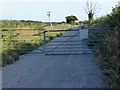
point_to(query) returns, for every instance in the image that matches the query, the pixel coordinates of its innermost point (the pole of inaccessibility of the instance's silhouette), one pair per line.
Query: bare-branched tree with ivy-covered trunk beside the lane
(91, 8)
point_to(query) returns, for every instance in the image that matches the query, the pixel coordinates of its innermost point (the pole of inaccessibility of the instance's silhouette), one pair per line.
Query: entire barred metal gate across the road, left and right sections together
(62, 42)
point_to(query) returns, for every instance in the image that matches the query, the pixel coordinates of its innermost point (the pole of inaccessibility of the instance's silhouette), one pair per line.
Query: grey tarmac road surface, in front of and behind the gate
(54, 71)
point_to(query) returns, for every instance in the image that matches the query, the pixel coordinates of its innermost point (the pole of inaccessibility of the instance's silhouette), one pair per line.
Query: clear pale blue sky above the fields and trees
(37, 9)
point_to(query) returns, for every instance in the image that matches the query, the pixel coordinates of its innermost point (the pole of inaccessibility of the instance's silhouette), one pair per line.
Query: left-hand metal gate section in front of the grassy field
(23, 41)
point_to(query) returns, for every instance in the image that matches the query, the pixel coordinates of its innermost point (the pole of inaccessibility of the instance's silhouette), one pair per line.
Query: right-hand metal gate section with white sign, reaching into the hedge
(75, 41)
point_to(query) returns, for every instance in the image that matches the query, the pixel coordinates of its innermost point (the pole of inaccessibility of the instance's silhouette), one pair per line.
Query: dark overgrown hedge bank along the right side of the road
(108, 50)
